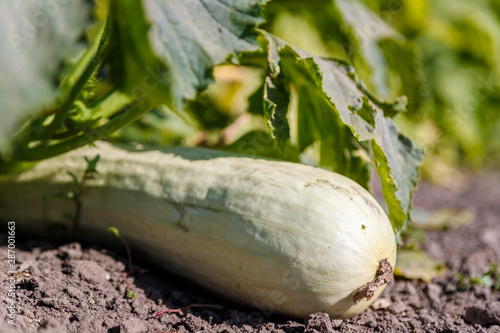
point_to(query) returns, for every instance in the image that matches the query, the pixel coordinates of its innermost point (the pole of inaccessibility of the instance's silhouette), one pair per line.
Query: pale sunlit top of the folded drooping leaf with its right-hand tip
(397, 158)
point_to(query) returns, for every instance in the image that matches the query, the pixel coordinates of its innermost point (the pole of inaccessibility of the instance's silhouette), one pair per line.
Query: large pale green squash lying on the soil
(282, 237)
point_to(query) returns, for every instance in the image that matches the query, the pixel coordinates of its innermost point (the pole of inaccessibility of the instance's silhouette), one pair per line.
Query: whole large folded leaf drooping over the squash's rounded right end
(335, 112)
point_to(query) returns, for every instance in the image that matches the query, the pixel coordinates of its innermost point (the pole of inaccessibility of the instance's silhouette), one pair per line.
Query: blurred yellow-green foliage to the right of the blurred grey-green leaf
(460, 47)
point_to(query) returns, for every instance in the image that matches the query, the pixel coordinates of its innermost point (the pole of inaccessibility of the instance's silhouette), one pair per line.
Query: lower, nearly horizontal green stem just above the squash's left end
(130, 114)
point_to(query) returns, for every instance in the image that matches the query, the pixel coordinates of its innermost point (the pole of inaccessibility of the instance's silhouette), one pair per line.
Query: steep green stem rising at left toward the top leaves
(92, 65)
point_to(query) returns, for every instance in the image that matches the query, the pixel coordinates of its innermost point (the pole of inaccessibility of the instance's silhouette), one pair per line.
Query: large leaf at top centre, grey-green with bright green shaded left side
(165, 50)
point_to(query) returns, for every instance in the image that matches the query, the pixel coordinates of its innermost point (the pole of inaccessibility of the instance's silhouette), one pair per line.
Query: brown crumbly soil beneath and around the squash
(79, 287)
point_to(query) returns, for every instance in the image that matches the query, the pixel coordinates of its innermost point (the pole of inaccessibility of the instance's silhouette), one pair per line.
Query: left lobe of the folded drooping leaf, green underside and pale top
(327, 96)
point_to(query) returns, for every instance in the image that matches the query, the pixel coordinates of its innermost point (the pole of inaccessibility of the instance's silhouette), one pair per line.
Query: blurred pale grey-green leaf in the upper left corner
(37, 37)
